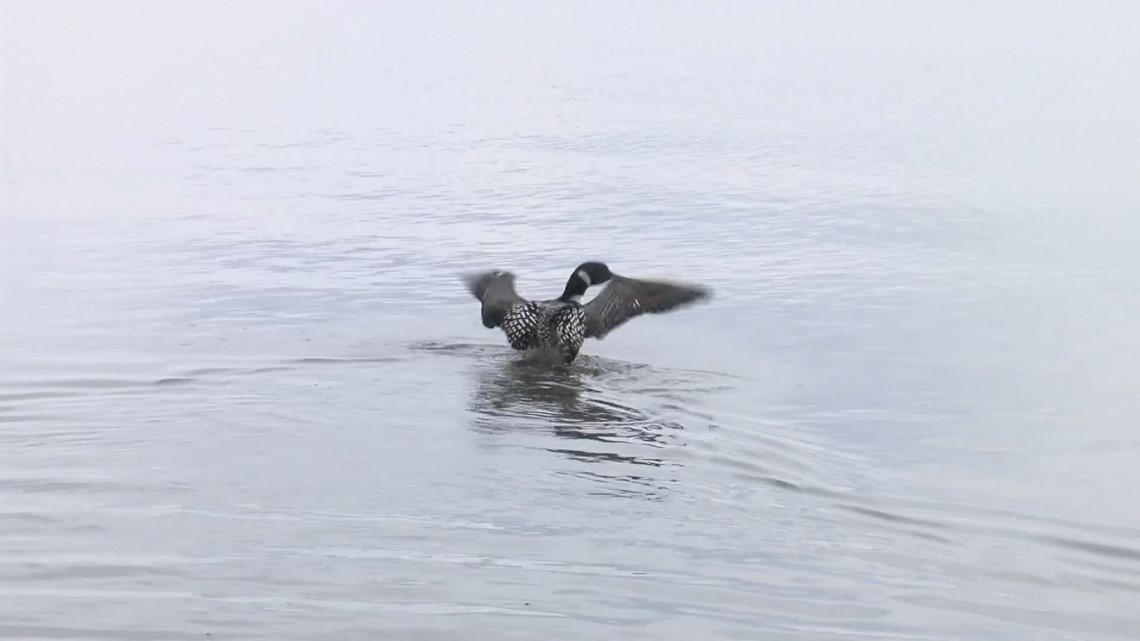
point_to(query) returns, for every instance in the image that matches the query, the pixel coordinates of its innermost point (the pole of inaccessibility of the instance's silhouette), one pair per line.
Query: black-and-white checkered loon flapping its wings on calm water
(563, 324)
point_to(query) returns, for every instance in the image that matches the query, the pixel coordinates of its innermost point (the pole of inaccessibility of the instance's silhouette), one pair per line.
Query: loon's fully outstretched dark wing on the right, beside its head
(629, 298)
